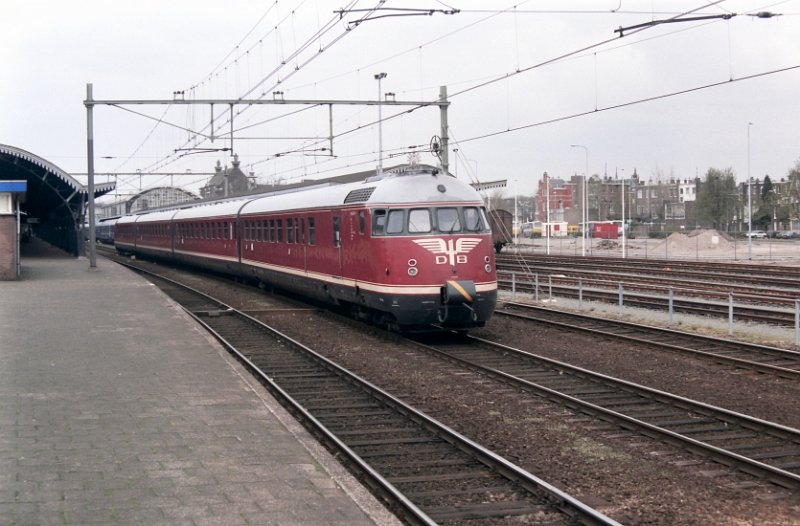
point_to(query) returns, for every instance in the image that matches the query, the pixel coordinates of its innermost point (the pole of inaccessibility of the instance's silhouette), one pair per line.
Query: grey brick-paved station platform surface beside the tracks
(116, 408)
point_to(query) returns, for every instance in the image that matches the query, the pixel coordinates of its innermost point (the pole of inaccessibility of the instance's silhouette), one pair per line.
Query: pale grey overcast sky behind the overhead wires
(521, 89)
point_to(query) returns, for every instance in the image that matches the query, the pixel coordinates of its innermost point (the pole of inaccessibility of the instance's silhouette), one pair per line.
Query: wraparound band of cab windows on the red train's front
(438, 220)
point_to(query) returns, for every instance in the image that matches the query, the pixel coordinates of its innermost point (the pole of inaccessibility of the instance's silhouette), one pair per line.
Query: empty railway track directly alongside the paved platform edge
(426, 472)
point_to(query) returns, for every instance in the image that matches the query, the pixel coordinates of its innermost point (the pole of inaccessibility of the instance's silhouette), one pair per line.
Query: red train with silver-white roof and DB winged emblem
(407, 248)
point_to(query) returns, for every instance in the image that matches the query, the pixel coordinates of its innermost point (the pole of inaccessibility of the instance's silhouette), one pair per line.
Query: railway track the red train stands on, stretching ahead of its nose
(763, 449)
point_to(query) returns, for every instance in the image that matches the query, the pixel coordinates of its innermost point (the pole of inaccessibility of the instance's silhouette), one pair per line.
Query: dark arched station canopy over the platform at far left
(55, 203)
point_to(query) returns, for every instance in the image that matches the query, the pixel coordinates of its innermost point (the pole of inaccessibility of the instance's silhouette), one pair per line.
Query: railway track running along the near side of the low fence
(784, 363)
